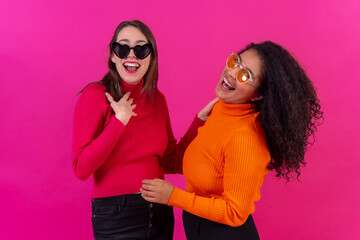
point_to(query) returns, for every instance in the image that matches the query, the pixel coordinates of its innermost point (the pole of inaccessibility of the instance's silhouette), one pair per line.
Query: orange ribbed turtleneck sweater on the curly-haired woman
(225, 166)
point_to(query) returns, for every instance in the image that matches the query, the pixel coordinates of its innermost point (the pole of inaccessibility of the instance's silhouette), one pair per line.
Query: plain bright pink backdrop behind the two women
(49, 51)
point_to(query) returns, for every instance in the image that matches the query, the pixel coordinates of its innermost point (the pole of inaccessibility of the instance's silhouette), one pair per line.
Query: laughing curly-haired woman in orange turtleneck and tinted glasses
(267, 109)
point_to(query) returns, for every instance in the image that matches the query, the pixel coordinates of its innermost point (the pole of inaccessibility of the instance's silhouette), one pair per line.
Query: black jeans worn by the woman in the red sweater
(130, 216)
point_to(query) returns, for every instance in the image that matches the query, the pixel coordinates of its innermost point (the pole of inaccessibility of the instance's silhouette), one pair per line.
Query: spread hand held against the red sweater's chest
(123, 108)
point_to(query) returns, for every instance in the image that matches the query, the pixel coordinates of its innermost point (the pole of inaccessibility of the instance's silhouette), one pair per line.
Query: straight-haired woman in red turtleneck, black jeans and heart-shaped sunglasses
(122, 134)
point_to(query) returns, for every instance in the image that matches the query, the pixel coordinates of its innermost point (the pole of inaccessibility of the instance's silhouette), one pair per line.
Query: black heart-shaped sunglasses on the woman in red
(140, 51)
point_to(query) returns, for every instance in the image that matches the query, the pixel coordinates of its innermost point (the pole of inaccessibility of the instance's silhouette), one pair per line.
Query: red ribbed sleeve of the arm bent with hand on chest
(94, 136)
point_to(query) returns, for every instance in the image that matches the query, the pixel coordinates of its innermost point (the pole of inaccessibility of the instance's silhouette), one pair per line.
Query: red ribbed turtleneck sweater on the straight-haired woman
(118, 156)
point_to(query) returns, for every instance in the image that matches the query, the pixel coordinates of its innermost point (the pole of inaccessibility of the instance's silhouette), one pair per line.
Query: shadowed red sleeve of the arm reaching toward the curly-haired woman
(172, 160)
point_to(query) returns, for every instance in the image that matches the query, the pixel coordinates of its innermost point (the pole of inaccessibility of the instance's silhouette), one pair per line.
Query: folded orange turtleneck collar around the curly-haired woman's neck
(235, 109)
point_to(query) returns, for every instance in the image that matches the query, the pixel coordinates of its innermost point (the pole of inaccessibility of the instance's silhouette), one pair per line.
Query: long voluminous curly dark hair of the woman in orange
(290, 110)
